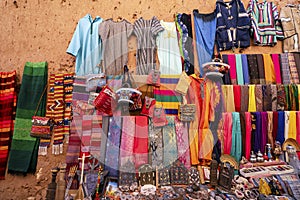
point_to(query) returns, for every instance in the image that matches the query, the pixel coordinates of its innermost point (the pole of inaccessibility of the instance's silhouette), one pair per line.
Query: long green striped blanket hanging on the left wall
(24, 148)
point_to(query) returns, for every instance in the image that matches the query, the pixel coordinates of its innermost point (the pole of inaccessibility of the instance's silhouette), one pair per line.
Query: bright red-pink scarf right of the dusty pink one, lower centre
(141, 141)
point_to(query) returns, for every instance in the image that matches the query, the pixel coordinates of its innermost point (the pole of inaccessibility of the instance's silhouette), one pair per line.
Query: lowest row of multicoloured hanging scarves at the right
(255, 129)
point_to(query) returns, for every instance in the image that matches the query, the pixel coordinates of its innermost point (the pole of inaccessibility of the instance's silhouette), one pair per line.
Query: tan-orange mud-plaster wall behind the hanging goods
(40, 30)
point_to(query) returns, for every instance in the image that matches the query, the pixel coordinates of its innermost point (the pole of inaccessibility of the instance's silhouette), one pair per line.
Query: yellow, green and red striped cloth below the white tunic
(166, 95)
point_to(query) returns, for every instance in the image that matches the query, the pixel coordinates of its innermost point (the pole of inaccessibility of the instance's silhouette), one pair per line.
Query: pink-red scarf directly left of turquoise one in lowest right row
(227, 130)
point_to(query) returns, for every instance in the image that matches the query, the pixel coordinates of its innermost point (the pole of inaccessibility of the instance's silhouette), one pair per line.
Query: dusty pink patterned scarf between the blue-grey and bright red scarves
(127, 139)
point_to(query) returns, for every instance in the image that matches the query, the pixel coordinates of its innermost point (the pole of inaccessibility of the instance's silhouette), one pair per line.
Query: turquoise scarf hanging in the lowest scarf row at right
(236, 146)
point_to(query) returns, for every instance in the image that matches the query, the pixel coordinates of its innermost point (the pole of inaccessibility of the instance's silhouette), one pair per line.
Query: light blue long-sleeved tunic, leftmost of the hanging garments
(86, 46)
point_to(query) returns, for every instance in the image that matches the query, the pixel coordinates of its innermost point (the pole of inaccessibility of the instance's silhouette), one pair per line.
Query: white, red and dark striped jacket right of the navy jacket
(265, 25)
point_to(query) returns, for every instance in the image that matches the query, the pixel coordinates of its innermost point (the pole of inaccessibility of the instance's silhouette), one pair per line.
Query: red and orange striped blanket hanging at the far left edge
(8, 100)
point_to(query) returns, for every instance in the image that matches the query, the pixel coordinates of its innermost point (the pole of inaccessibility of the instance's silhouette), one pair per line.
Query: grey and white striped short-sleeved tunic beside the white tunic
(146, 32)
